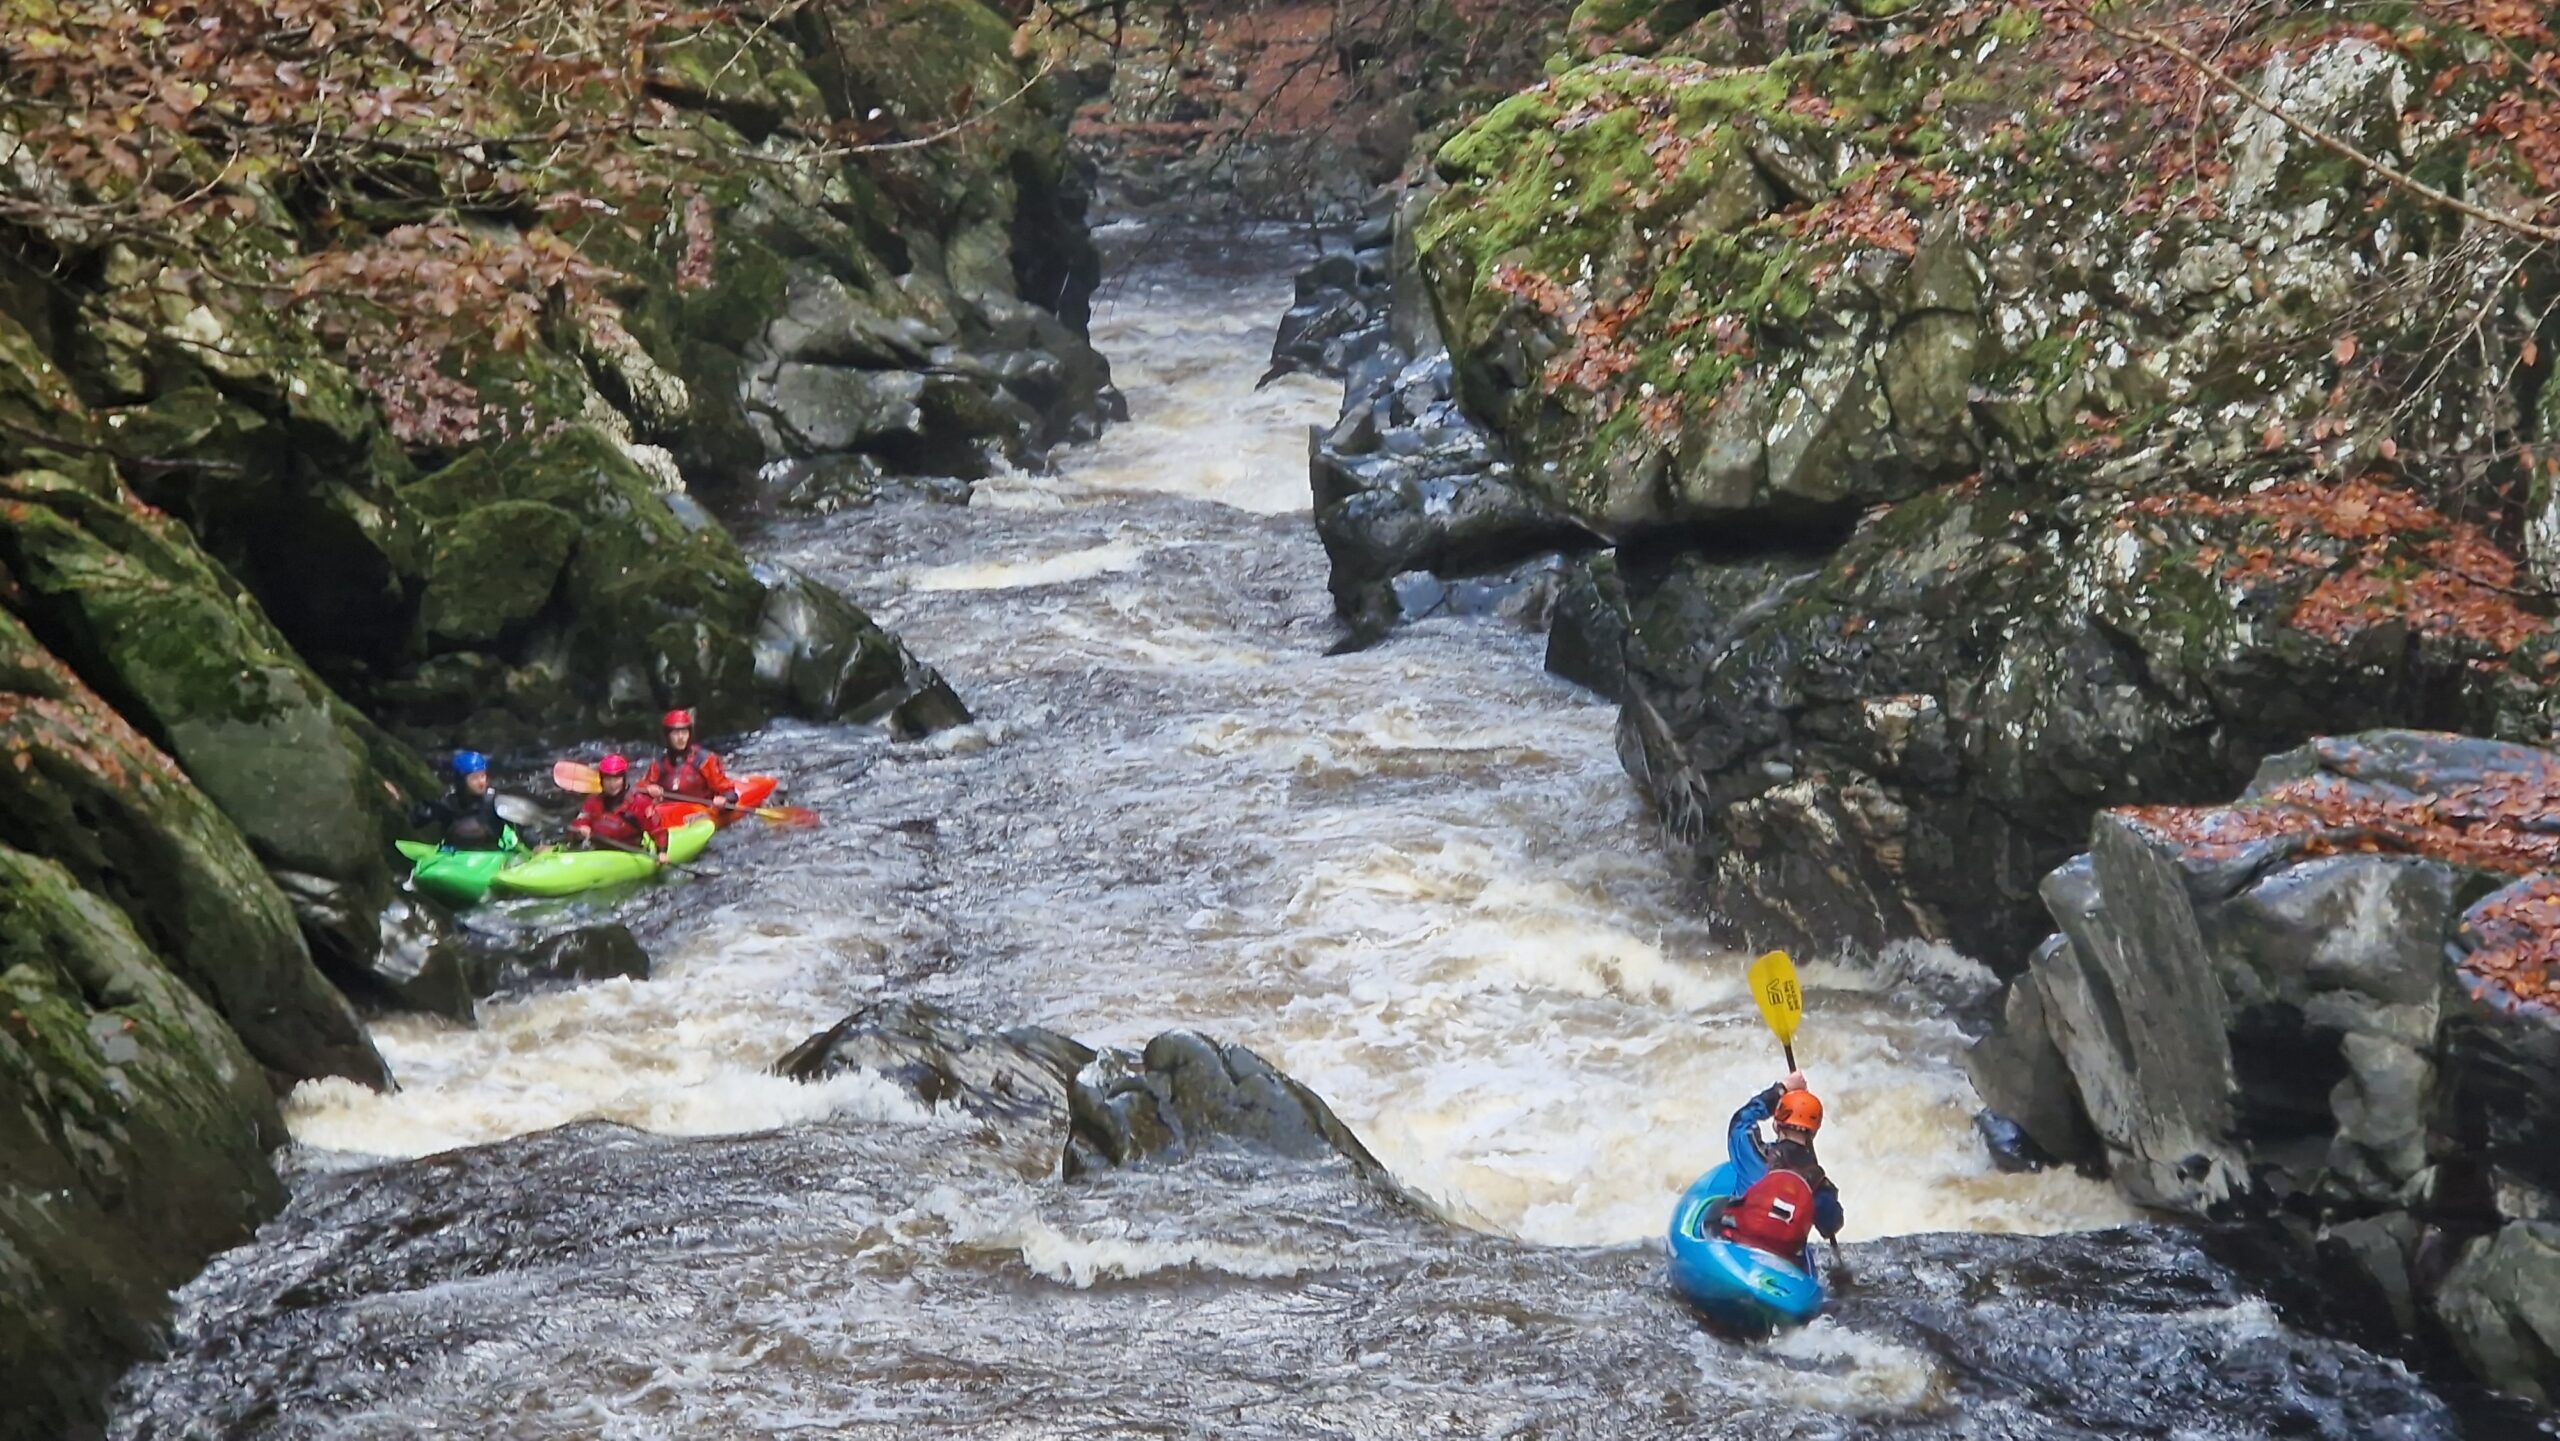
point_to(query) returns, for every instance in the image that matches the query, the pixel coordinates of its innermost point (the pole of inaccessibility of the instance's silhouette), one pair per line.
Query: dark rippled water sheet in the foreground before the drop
(892, 1261)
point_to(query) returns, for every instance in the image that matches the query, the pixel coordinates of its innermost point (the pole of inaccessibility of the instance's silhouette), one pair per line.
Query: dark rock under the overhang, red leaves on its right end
(1901, 738)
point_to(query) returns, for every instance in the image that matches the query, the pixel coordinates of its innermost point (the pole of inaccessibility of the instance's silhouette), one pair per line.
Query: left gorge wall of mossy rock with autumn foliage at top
(416, 429)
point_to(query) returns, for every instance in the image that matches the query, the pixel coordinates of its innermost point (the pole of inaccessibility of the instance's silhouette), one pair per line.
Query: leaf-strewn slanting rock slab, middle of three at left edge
(124, 823)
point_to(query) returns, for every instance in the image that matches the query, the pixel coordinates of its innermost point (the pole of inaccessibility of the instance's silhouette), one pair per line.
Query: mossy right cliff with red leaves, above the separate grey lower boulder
(2001, 421)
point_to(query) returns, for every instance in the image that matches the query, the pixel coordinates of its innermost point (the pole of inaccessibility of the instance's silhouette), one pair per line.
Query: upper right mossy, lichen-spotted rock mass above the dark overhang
(1696, 293)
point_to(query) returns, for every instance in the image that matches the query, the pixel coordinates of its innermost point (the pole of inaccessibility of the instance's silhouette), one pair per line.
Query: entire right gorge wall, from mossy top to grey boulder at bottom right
(1967, 421)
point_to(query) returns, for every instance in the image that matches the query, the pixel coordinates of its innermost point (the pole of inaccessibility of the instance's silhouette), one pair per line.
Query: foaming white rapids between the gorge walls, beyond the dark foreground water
(1417, 879)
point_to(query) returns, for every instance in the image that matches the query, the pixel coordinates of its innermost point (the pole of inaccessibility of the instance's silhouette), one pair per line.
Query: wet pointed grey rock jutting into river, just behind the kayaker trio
(820, 657)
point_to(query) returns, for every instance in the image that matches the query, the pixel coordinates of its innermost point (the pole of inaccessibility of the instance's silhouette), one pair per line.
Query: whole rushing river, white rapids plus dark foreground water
(1414, 879)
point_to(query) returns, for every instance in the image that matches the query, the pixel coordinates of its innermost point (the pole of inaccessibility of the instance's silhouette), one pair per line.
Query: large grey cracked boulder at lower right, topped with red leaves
(2339, 1002)
